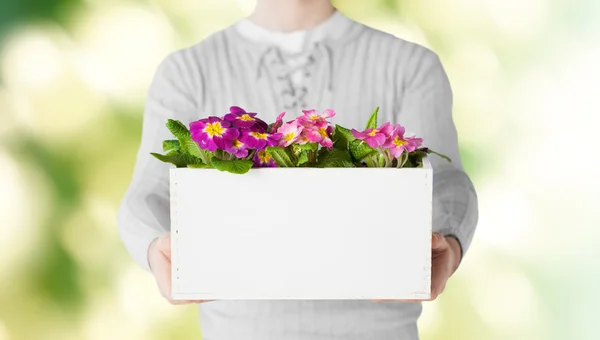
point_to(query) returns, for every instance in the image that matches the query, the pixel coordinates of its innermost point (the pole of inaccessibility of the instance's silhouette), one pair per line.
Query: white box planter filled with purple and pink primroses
(348, 218)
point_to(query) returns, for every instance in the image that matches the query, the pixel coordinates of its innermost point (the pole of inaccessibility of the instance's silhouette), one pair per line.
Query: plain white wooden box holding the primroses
(301, 233)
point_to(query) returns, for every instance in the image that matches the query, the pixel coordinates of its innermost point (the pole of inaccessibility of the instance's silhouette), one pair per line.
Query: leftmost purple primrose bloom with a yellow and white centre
(213, 133)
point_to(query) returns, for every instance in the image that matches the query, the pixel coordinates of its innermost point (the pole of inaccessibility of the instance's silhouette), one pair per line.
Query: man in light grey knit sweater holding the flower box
(287, 56)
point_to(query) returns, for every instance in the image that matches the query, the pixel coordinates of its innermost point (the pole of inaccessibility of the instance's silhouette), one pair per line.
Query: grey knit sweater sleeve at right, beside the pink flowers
(426, 110)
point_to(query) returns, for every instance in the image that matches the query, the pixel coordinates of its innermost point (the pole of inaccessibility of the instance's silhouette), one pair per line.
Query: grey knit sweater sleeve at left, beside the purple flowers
(144, 212)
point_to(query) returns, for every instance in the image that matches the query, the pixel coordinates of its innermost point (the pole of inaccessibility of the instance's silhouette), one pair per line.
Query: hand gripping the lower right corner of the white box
(445, 257)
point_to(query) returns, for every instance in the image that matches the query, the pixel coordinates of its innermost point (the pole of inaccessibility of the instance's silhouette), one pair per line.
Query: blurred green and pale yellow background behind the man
(73, 77)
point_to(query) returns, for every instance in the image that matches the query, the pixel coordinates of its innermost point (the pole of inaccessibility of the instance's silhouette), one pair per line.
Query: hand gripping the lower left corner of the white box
(159, 257)
